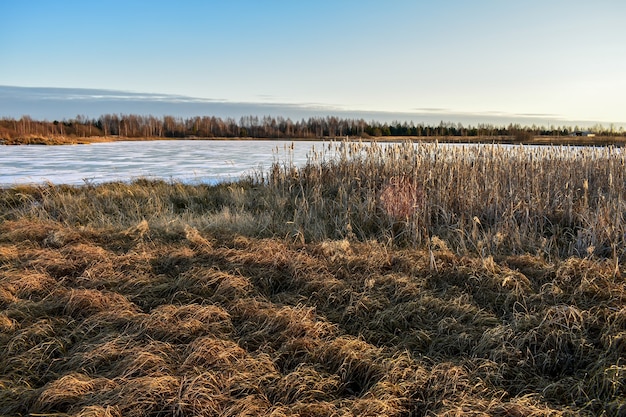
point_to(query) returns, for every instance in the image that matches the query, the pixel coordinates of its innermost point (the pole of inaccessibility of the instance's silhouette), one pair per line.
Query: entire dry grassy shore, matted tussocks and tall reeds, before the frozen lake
(393, 281)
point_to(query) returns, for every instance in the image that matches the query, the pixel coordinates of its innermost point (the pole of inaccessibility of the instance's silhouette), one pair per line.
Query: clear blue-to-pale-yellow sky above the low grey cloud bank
(559, 59)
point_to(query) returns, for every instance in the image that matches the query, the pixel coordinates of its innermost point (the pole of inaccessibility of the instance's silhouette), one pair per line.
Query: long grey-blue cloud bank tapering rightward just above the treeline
(47, 103)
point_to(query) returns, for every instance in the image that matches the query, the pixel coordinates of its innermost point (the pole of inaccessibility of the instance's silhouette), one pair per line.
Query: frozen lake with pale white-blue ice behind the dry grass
(202, 161)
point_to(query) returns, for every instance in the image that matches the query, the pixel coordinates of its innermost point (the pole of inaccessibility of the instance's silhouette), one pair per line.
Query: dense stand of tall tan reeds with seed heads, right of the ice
(557, 201)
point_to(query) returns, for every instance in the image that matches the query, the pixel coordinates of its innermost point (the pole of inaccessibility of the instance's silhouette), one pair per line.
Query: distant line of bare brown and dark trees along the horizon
(135, 126)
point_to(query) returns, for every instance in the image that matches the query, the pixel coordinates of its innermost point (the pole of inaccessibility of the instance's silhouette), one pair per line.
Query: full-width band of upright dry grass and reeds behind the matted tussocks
(553, 202)
